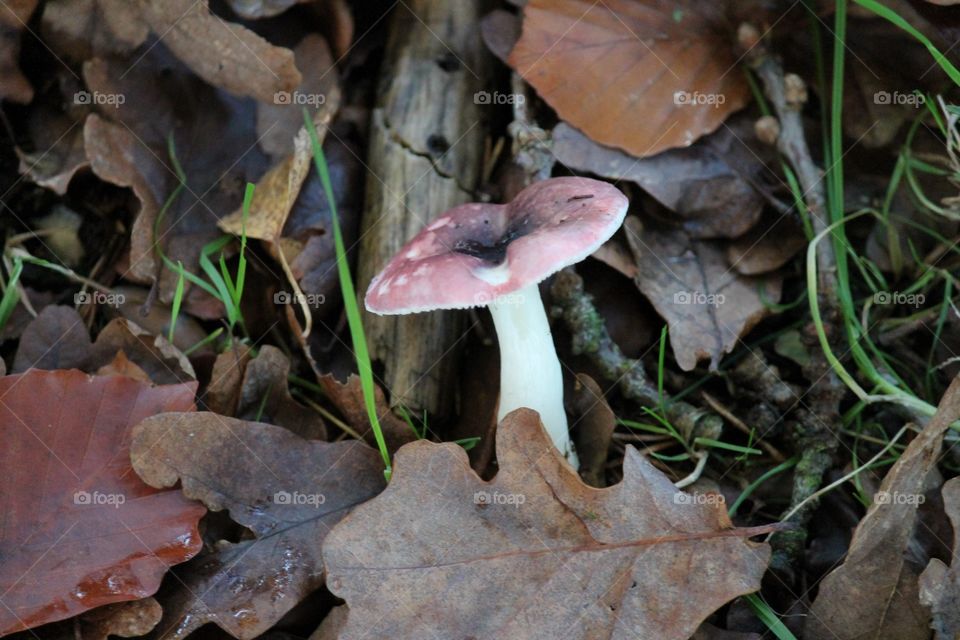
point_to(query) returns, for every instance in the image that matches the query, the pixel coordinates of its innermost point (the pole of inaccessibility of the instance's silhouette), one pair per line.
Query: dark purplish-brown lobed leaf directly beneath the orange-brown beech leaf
(709, 185)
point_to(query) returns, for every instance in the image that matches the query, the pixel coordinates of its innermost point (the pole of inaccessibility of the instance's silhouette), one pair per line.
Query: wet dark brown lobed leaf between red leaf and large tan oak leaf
(288, 491)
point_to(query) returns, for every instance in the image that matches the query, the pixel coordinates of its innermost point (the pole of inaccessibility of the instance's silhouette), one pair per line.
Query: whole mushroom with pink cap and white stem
(495, 255)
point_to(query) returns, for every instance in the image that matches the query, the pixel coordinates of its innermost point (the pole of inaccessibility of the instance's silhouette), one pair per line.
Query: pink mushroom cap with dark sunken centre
(475, 253)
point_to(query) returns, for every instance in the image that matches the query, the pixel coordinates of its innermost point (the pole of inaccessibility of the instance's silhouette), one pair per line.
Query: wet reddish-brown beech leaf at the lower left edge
(79, 528)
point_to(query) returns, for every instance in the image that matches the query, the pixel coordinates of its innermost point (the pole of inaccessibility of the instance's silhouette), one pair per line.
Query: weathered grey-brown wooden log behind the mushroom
(425, 156)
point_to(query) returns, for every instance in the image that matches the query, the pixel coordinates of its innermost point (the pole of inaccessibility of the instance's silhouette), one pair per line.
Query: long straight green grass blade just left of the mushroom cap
(354, 320)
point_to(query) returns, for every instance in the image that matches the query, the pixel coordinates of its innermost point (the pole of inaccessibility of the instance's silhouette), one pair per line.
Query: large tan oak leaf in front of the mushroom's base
(534, 553)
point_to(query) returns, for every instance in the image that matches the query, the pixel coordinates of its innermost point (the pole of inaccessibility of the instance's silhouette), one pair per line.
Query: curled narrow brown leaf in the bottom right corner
(874, 593)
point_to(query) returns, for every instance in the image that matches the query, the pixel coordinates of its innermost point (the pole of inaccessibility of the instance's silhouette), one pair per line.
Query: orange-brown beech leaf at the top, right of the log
(639, 75)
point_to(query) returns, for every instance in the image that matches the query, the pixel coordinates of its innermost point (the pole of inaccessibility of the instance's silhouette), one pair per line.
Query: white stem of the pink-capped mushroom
(529, 369)
